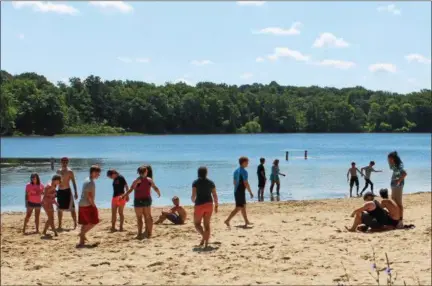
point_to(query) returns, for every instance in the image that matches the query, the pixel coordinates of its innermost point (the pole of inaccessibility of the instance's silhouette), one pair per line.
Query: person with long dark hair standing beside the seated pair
(397, 181)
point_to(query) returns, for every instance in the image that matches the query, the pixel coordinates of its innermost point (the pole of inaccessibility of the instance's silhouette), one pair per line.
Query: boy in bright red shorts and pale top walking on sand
(88, 216)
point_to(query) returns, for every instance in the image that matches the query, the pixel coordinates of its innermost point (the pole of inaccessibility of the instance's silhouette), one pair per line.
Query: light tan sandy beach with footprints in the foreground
(296, 242)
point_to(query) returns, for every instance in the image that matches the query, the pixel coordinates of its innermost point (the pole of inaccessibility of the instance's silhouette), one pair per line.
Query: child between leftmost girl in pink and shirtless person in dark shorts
(49, 201)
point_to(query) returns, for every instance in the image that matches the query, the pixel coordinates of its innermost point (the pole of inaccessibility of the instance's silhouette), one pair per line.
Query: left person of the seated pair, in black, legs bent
(371, 214)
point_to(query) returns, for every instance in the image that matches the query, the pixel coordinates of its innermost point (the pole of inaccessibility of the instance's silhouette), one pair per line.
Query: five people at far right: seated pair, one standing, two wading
(384, 215)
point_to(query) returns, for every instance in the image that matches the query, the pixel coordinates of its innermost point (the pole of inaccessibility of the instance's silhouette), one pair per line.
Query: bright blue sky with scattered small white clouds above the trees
(379, 45)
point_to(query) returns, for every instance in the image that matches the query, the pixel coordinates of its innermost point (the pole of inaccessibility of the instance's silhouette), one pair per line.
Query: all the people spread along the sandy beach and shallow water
(374, 215)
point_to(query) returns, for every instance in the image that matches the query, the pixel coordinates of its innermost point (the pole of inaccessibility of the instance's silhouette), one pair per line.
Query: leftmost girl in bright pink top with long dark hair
(33, 200)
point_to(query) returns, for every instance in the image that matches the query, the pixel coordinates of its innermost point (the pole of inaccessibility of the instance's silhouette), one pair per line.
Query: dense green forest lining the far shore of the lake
(31, 105)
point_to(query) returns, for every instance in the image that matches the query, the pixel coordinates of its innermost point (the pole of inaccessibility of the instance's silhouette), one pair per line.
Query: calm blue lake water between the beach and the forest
(175, 160)
